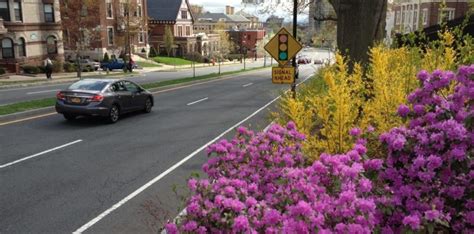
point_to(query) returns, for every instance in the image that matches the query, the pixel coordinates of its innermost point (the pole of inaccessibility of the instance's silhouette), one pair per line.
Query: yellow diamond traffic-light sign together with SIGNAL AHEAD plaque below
(283, 47)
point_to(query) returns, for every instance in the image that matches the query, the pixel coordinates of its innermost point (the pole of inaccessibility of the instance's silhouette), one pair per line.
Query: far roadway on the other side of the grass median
(8, 96)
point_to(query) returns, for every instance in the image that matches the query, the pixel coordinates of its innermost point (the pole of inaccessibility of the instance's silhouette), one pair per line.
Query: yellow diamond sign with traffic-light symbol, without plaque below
(283, 47)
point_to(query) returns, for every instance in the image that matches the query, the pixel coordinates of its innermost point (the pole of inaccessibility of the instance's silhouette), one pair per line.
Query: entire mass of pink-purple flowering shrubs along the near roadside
(261, 183)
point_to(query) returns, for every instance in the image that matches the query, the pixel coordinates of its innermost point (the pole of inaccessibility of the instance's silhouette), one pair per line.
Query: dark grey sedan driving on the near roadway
(105, 98)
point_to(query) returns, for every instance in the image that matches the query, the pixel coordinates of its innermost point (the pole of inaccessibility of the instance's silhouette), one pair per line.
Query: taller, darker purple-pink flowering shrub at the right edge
(429, 163)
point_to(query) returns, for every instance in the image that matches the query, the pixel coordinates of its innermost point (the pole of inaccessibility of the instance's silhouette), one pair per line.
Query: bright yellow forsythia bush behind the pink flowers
(336, 100)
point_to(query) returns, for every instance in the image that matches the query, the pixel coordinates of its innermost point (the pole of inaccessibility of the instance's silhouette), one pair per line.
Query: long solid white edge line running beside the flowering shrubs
(169, 170)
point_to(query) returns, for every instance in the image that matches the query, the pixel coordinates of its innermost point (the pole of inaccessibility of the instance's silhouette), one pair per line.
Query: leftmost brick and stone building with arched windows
(30, 31)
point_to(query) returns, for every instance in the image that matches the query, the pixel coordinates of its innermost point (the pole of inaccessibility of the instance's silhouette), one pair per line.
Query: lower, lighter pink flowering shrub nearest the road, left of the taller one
(260, 183)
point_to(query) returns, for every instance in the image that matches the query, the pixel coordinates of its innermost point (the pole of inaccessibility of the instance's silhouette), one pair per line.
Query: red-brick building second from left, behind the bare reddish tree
(107, 26)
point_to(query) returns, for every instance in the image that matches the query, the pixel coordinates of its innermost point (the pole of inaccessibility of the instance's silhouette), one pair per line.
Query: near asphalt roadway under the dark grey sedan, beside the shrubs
(74, 171)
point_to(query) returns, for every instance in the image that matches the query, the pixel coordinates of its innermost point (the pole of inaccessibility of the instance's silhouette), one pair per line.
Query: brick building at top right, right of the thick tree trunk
(412, 15)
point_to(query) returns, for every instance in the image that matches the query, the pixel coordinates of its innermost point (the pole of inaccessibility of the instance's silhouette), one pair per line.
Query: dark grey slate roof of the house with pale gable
(165, 9)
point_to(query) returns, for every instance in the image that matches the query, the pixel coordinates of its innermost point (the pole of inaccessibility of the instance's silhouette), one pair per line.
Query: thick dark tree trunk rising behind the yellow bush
(360, 23)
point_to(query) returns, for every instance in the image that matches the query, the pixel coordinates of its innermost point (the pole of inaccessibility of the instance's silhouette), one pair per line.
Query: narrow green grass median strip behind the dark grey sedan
(47, 102)
